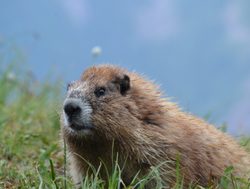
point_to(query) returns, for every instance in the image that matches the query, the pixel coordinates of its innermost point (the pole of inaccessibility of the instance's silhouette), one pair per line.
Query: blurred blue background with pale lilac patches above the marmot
(199, 52)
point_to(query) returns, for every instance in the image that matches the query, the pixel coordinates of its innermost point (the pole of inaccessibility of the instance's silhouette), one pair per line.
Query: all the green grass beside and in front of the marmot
(31, 153)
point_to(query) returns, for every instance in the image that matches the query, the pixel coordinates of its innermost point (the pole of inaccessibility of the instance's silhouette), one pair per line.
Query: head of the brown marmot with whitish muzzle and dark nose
(107, 101)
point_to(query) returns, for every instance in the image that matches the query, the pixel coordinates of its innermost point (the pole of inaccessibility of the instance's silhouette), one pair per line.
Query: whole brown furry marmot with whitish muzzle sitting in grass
(111, 110)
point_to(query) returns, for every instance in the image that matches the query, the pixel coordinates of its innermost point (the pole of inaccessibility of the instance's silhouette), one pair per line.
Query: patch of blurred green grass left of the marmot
(29, 130)
